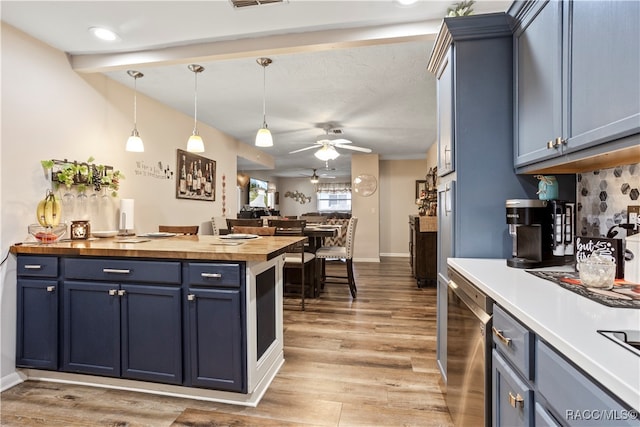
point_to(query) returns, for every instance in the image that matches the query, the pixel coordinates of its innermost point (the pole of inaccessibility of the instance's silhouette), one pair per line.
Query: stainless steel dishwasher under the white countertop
(468, 353)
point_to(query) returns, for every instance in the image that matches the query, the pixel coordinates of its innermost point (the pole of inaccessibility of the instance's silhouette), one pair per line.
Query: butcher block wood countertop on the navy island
(215, 248)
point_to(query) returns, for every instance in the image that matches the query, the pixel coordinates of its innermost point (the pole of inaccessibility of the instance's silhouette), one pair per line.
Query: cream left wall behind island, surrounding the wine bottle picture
(51, 112)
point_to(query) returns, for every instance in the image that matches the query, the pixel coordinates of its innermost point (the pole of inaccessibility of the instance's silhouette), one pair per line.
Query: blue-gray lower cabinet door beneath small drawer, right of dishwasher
(512, 397)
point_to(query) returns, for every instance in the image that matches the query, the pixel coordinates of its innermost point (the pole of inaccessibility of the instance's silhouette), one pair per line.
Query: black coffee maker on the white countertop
(542, 232)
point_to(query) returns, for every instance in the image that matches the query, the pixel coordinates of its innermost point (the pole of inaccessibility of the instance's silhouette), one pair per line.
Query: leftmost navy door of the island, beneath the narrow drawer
(37, 324)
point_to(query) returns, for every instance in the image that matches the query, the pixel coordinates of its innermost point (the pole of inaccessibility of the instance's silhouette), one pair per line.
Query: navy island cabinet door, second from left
(91, 328)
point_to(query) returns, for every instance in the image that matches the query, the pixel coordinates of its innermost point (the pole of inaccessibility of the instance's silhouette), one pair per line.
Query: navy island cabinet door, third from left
(152, 333)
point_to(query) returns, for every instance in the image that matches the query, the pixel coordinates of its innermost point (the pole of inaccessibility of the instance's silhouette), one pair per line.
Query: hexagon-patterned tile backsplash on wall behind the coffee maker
(603, 197)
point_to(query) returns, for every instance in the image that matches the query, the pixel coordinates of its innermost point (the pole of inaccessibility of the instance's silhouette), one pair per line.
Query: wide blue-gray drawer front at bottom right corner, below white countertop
(573, 396)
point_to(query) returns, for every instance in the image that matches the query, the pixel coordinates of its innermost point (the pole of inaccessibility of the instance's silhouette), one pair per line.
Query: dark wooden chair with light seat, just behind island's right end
(299, 259)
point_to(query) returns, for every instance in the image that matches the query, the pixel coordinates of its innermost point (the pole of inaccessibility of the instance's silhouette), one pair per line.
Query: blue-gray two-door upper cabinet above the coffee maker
(576, 76)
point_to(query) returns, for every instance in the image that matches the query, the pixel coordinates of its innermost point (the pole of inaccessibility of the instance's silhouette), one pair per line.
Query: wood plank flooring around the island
(368, 362)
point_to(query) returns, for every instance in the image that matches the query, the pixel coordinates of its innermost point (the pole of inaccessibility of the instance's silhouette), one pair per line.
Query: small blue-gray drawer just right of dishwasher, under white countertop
(514, 341)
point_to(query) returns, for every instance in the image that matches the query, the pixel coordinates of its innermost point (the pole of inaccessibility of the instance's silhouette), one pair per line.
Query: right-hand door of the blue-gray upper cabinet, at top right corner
(603, 72)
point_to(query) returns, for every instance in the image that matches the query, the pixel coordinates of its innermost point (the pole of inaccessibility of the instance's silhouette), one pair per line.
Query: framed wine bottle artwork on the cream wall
(196, 177)
